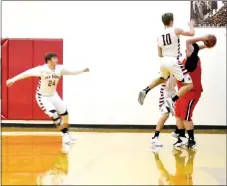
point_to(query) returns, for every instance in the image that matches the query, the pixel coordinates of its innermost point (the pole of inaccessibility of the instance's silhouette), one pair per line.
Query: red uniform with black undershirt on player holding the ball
(185, 105)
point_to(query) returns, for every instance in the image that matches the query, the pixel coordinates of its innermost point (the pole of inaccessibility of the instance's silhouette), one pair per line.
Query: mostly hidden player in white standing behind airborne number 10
(167, 90)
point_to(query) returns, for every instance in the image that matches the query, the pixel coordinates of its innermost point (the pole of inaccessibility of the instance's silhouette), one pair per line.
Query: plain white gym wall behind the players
(117, 41)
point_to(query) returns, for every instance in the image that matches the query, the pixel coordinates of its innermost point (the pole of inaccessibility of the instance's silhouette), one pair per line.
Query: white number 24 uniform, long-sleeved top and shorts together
(46, 94)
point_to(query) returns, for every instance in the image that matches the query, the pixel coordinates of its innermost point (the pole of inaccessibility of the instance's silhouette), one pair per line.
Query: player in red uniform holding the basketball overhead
(185, 105)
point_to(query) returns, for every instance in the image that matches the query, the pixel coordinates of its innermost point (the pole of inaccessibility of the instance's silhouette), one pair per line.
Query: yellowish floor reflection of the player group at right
(184, 169)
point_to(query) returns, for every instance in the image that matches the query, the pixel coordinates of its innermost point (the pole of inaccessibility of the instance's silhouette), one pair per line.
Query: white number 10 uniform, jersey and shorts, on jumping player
(169, 42)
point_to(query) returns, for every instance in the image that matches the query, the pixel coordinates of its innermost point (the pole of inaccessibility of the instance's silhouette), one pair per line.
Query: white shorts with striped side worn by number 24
(48, 103)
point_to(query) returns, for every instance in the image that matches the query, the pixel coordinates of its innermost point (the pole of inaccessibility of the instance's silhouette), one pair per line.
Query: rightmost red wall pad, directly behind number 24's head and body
(41, 47)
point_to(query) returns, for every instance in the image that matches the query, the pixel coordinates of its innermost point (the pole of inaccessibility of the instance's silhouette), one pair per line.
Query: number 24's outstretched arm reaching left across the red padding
(34, 72)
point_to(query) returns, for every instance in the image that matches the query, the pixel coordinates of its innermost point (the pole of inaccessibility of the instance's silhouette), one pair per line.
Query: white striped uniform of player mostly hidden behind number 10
(167, 90)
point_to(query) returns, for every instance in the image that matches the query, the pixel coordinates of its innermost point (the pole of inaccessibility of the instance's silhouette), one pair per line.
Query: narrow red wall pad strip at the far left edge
(4, 69)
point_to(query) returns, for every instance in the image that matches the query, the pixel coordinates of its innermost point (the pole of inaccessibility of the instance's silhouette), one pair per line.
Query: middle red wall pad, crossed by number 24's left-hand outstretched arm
(20, 56)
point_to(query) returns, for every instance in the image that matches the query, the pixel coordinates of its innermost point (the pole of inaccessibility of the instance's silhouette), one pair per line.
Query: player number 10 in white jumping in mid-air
(169, 52)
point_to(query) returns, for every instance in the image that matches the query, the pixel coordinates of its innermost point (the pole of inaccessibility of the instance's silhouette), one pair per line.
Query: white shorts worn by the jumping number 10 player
(171, 65)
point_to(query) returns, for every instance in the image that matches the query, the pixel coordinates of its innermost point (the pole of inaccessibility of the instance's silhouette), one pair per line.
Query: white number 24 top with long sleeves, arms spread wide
(48, 78)
